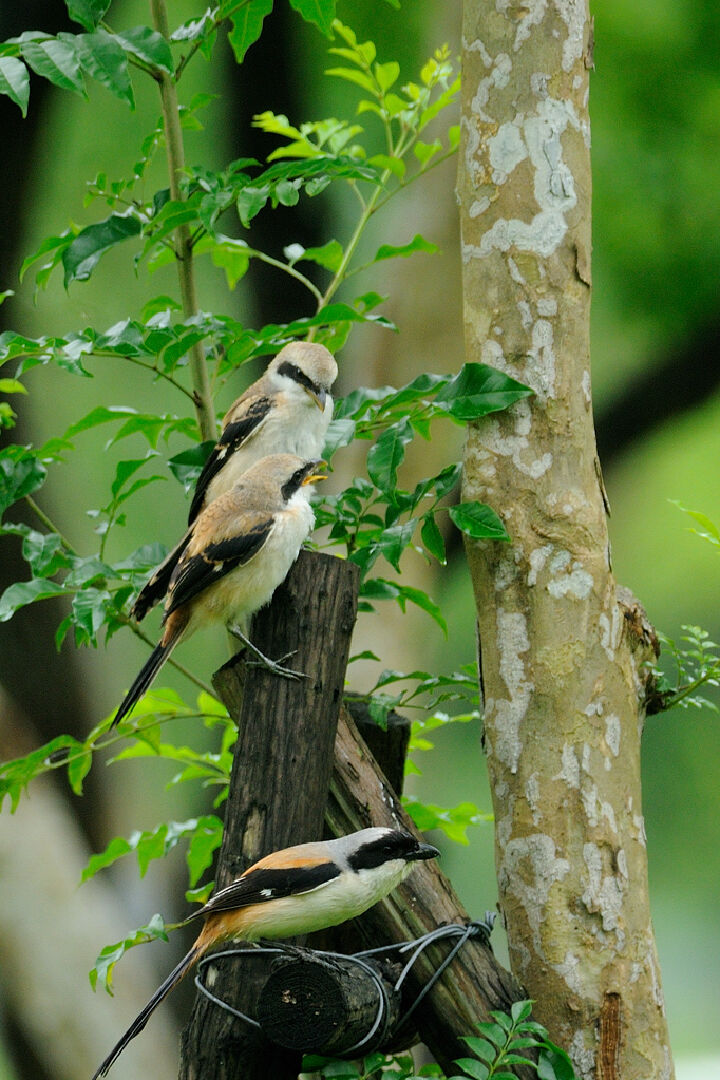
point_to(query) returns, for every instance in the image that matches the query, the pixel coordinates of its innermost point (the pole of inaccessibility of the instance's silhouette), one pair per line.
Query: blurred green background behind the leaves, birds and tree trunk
(656, 110)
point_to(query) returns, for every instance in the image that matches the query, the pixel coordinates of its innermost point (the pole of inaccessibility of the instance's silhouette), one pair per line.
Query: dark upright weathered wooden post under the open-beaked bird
(281, 772)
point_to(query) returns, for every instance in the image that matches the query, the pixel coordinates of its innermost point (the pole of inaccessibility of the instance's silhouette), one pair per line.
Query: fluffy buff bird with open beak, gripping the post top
(233, 559)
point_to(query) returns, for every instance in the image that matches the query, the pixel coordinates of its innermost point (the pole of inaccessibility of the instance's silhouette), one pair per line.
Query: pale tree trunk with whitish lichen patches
(561, 656)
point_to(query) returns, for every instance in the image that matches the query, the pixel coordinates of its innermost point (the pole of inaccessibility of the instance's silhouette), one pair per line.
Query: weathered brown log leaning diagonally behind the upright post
(476, 983)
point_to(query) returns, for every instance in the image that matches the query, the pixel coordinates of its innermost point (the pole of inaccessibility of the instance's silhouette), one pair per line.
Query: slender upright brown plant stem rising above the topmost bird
(201, 386)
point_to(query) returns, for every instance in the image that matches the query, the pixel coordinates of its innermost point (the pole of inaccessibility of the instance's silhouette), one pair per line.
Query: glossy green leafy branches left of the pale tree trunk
(211, 214)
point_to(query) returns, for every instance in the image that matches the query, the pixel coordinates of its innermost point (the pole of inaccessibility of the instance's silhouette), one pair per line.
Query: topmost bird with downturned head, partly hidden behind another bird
(288, 411)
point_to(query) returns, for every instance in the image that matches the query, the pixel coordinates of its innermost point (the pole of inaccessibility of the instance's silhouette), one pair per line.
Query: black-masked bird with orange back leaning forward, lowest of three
(295, 892)
